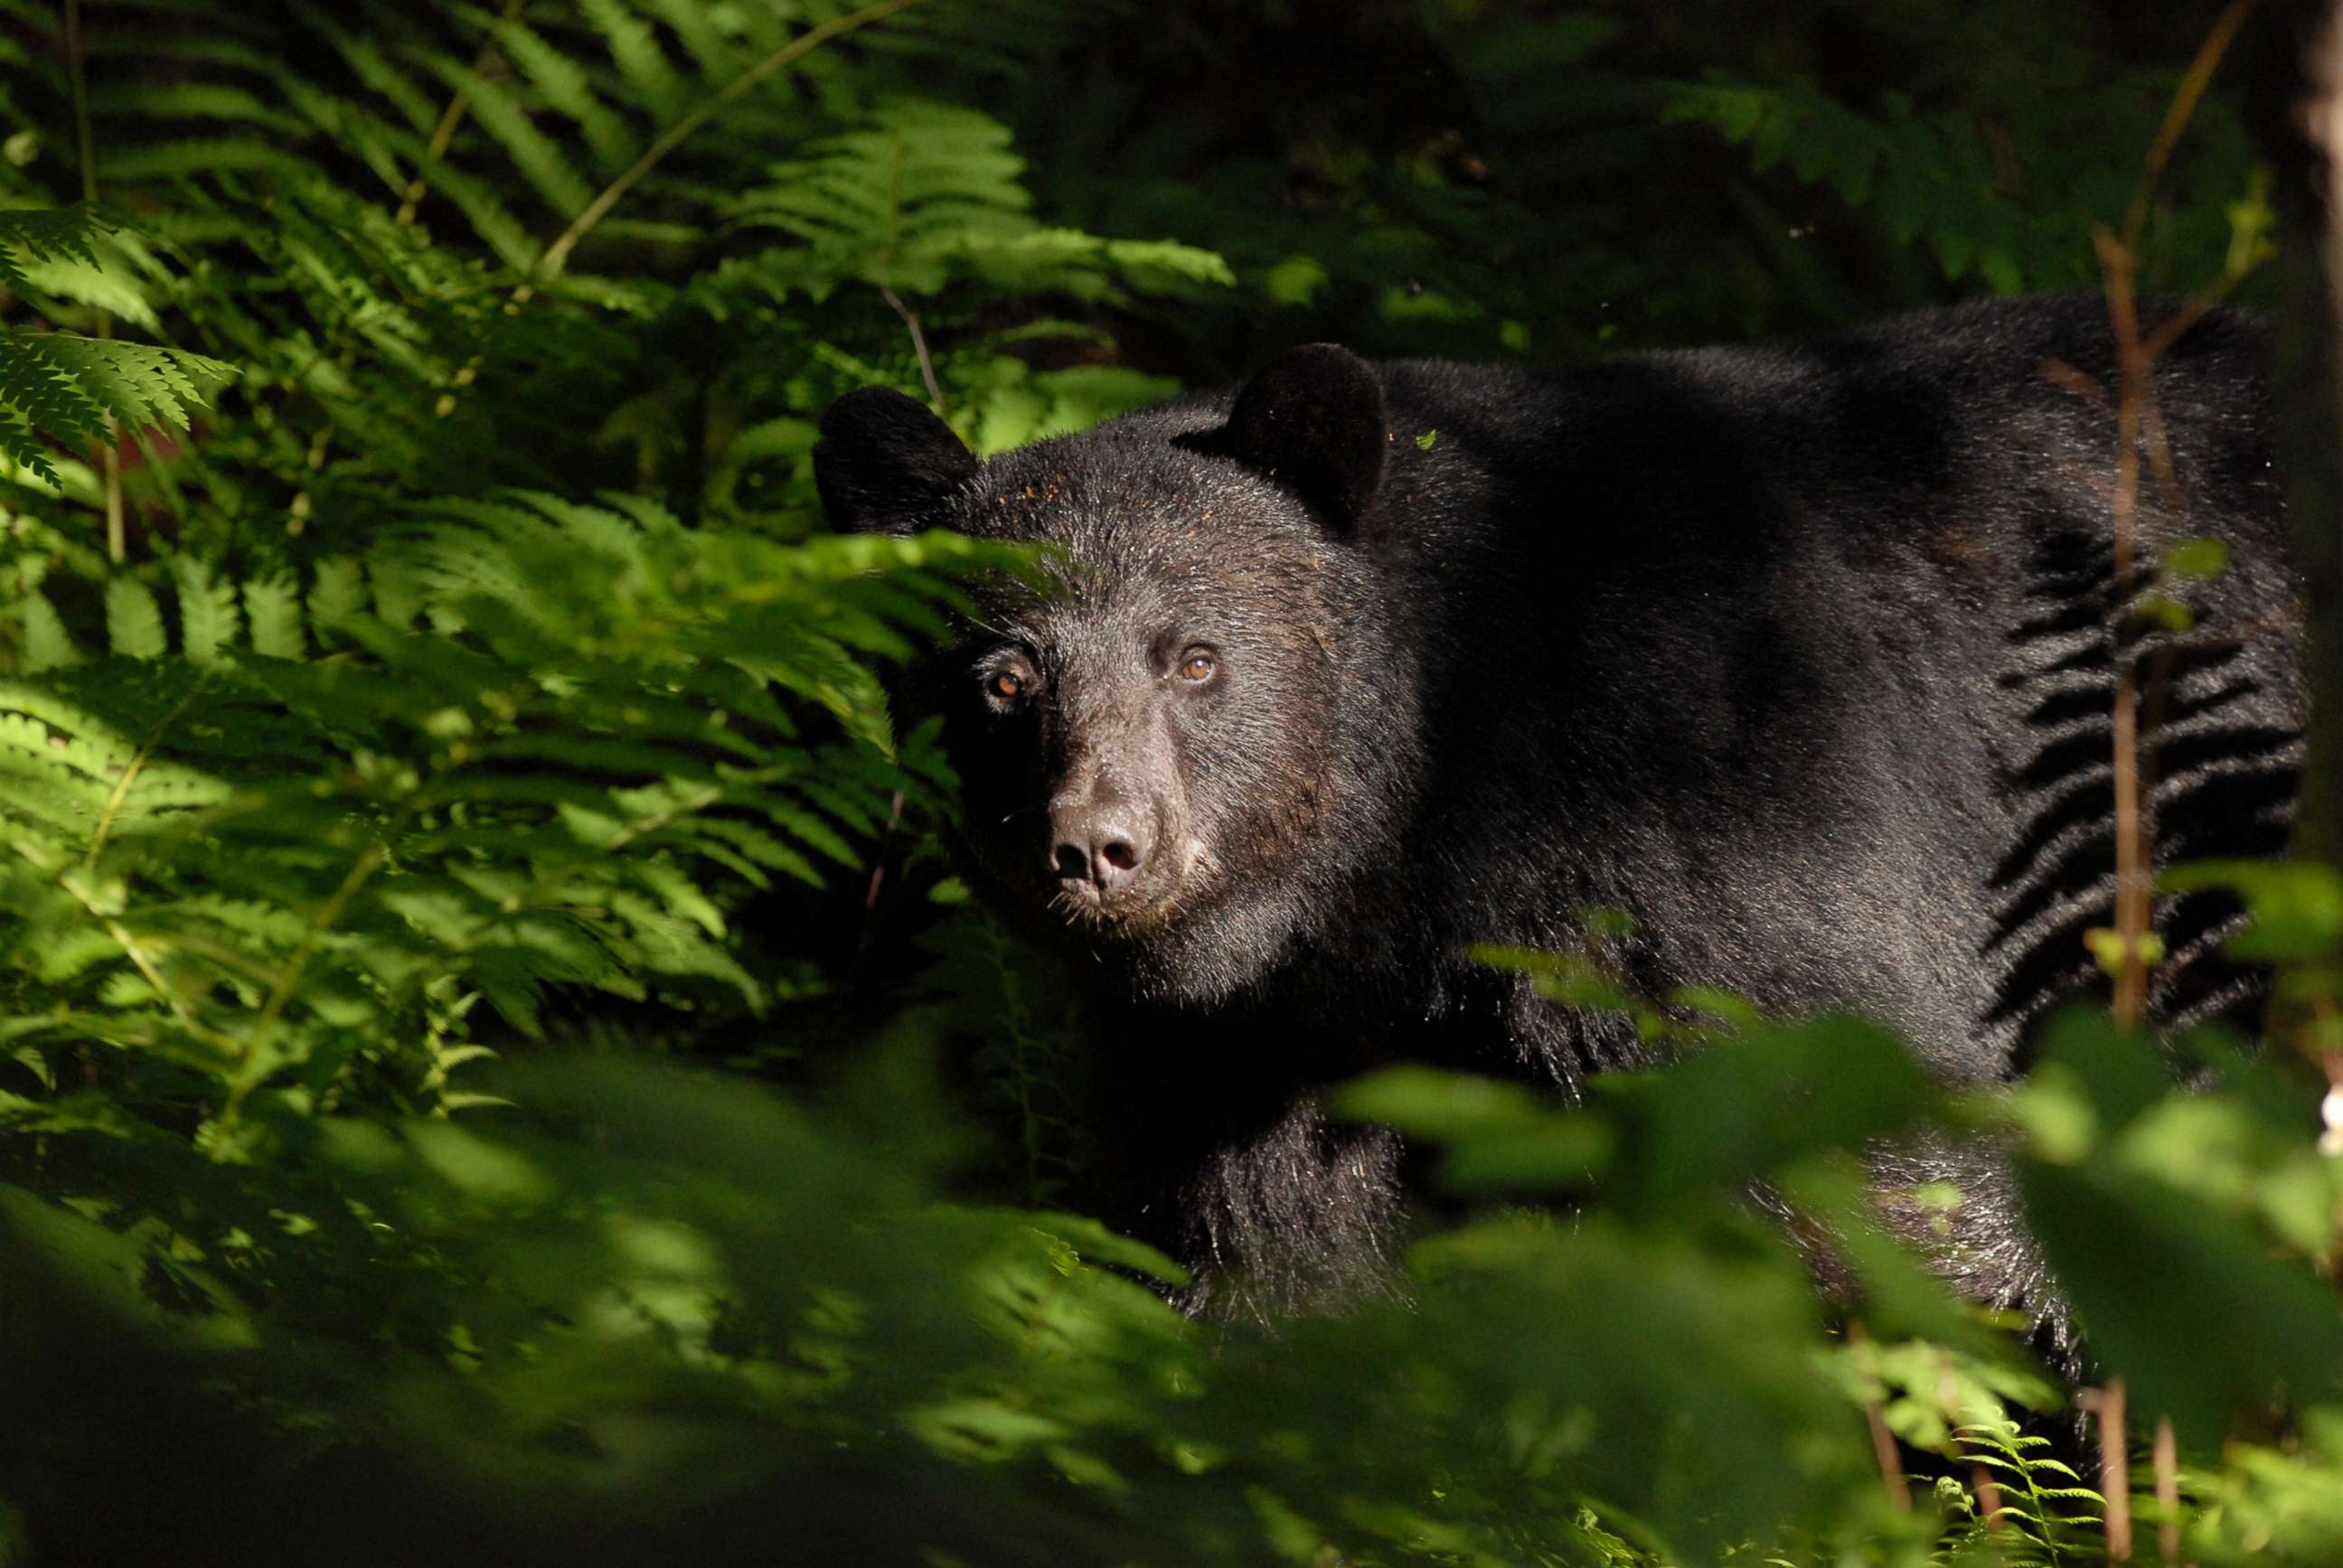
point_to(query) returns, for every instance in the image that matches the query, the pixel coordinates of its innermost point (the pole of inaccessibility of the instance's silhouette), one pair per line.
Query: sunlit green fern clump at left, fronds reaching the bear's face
(259, 868)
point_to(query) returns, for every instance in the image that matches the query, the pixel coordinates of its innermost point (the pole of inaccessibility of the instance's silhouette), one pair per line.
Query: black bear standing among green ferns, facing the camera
(1796, 655)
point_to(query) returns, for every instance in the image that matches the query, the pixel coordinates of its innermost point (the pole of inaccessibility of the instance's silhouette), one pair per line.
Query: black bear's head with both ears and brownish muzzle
(1187, 742)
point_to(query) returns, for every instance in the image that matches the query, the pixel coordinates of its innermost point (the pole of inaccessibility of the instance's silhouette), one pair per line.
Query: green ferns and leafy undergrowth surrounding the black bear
(493, 1061)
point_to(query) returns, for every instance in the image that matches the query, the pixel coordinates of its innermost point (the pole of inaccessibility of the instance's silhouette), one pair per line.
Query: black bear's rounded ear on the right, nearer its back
(1316, 421)
